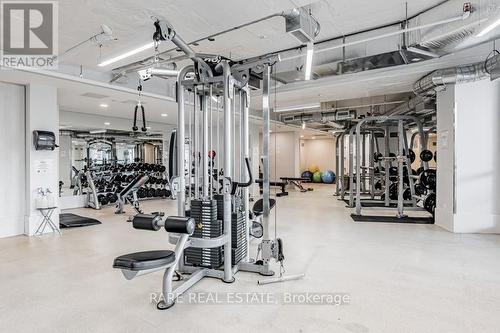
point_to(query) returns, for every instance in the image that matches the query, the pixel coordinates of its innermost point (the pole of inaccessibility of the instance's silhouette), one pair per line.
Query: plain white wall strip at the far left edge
(12, 167)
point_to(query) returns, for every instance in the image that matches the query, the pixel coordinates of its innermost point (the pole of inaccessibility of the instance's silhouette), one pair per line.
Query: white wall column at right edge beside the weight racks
(470, 157)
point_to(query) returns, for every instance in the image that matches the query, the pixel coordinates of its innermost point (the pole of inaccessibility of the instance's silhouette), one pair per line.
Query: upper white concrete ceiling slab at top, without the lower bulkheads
(194, 19)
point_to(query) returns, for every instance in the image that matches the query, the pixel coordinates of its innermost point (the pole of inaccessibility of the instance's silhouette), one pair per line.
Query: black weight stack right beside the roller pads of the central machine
(207, 226)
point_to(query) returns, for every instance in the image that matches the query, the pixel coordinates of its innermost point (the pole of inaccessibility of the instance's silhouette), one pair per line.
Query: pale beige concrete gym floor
(400, 278)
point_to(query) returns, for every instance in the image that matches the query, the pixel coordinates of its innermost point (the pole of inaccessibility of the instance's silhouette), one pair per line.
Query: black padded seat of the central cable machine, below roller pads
(144, 260)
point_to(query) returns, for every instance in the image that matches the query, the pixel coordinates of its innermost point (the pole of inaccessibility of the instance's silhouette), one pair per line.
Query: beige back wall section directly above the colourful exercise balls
(320, 152)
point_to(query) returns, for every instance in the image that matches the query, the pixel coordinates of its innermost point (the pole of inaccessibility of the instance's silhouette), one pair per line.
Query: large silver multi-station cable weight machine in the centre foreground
(208, 243)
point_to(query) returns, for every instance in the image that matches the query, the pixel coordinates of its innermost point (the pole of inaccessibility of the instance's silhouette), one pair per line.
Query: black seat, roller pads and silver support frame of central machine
(136, 264)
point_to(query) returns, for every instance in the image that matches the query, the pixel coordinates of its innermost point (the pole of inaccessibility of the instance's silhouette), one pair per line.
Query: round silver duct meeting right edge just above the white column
(439, 79)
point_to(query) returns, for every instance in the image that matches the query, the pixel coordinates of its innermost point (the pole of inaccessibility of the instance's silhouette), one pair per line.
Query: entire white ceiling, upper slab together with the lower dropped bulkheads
(194, 19)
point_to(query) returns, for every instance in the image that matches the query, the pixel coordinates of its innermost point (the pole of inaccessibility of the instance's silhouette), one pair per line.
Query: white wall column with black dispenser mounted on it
(42, 113)
